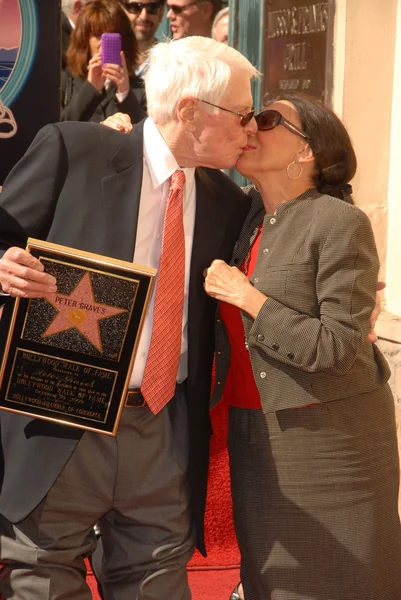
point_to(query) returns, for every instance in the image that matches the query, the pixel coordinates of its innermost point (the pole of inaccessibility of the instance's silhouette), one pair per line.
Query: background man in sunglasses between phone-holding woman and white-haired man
(145, 18)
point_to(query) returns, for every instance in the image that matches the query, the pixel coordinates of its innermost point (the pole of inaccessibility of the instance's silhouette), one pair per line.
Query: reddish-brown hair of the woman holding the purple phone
(97, 17)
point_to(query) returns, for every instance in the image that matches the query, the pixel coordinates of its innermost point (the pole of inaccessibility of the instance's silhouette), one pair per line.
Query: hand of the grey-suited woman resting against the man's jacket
(229, 284)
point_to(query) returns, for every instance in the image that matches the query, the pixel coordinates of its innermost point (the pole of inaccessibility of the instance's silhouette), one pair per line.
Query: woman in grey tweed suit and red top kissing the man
(312, 438)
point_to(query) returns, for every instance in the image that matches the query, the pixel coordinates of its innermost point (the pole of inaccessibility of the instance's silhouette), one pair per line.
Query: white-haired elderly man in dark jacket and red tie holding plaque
(94, 189)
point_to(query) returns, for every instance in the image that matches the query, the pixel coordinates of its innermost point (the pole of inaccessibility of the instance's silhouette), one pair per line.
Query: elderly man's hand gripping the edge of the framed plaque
(22, 275)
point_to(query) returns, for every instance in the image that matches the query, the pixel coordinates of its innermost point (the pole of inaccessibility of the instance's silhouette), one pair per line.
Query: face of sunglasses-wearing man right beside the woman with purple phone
(145, 17)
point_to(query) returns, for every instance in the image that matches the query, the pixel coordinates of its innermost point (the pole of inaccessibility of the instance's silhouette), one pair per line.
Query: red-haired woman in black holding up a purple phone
(90, 91)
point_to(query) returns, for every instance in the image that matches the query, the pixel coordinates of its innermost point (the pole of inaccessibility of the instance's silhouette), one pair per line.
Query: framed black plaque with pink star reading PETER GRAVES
(69, 355)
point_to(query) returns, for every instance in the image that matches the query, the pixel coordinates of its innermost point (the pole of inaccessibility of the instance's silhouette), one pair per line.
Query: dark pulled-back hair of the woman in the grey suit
(330, 143)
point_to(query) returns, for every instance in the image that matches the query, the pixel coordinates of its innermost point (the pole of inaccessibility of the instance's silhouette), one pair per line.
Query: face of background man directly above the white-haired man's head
(188, 17)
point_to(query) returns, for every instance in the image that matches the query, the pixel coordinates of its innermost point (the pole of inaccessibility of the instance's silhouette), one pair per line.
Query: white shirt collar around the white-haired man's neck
(159, 158)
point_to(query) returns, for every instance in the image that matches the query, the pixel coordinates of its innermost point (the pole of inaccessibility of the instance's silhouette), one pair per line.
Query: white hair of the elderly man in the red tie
(193, 66)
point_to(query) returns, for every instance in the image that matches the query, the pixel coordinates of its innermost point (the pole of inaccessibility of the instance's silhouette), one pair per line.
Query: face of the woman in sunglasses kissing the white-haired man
(272, 151)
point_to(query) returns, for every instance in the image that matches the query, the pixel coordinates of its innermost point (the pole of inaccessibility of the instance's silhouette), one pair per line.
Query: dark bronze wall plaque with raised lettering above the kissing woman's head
(319, 53)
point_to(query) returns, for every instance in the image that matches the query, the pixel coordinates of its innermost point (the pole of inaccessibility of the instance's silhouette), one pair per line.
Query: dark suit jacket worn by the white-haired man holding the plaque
(79, 185)
